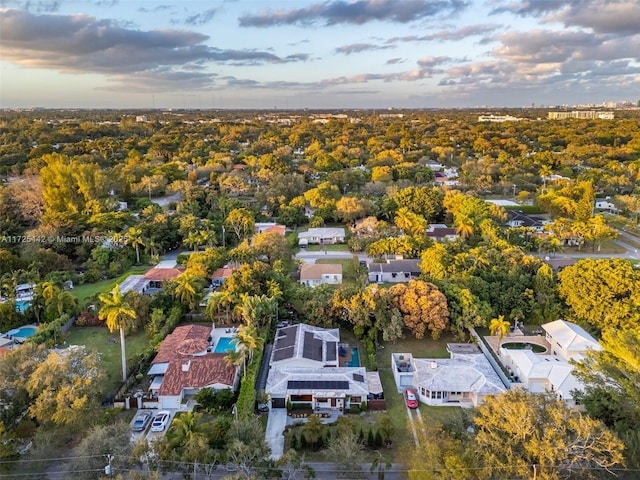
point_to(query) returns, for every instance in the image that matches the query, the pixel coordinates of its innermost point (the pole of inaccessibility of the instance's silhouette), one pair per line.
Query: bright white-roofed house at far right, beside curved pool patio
(551, 371)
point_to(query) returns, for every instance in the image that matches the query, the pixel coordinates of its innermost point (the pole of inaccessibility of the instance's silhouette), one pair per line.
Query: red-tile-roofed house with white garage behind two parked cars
(186, 363)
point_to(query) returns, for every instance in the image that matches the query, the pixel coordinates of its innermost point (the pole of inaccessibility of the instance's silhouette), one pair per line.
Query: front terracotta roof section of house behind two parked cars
(202, 371)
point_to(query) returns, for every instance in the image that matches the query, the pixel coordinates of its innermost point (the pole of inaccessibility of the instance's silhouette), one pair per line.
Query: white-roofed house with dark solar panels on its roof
(307, 367)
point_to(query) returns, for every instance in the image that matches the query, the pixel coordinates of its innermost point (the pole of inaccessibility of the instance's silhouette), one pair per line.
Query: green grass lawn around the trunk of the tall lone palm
(108, 345)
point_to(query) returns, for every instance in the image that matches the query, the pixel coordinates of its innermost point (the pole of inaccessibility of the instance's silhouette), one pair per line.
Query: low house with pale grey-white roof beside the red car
(465, 379)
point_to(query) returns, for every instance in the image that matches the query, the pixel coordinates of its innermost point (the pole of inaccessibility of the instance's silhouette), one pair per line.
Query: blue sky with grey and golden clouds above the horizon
(296, 54)
